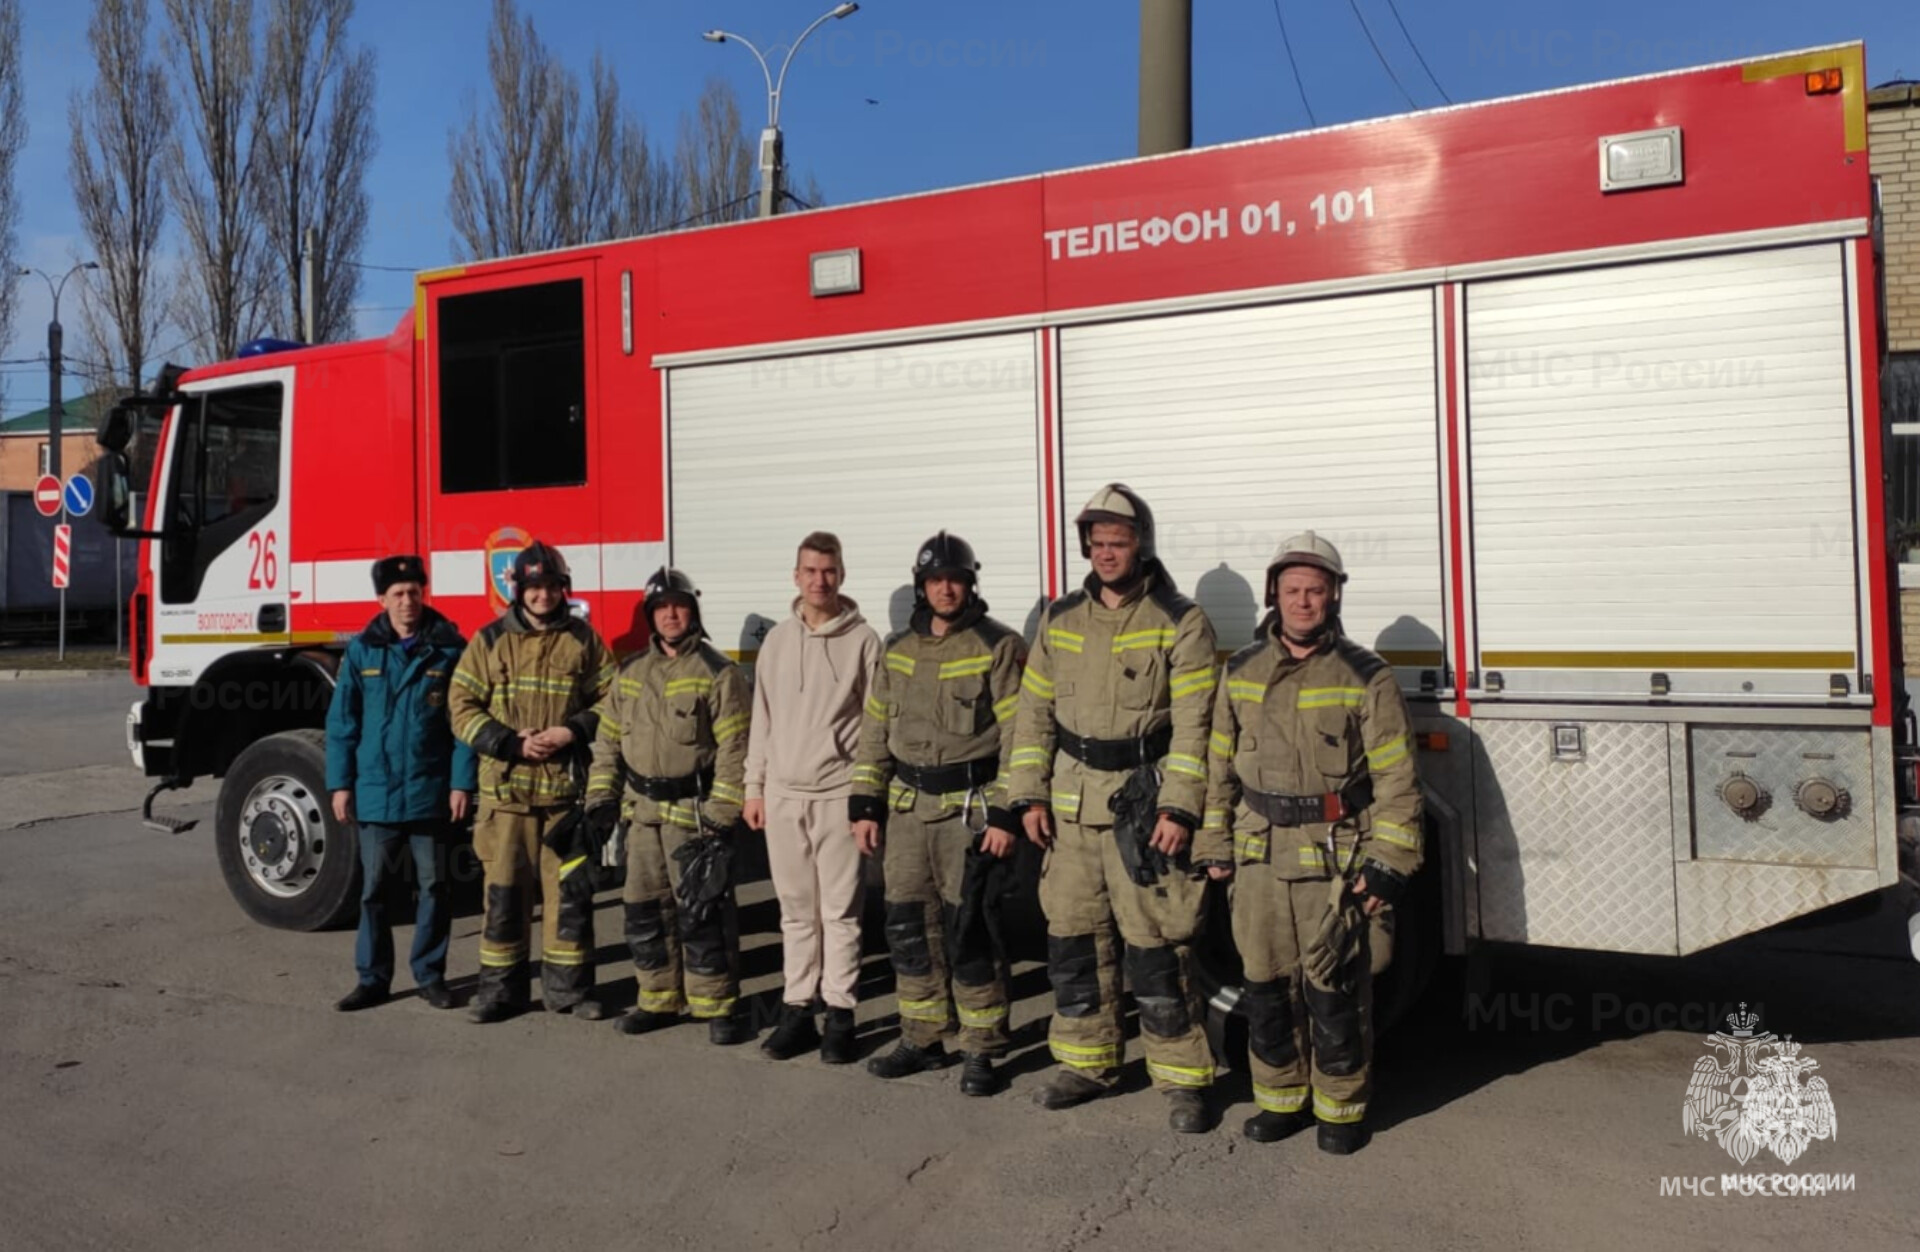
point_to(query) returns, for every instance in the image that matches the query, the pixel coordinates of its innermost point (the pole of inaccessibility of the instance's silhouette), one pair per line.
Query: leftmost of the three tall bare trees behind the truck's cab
(118, 135)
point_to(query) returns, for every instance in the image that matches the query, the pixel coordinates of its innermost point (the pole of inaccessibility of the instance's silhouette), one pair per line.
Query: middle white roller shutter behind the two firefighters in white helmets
(1247, 425)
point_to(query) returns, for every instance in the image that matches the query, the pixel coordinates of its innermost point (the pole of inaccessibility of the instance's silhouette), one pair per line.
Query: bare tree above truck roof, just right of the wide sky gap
(506, 168)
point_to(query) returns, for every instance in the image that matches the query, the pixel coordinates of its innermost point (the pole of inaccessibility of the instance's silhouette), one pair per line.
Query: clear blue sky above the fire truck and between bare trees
(967, 91)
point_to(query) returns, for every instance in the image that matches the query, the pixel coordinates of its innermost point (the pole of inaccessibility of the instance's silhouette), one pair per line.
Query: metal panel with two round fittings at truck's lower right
(1773, 765)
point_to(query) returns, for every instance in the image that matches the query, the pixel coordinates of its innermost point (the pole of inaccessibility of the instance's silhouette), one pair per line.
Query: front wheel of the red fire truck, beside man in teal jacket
(285, 857)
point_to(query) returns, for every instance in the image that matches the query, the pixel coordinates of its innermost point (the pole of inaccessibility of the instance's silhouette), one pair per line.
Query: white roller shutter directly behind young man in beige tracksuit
(878, 446)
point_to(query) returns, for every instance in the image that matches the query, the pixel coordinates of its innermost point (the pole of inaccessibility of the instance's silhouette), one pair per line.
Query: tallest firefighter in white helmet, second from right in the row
(1109, 775)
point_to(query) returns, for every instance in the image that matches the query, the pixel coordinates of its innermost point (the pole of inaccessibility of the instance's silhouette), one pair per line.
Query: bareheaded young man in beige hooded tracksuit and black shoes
(809, 692)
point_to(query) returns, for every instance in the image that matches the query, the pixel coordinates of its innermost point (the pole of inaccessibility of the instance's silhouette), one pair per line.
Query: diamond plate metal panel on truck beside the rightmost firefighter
(1575, 854)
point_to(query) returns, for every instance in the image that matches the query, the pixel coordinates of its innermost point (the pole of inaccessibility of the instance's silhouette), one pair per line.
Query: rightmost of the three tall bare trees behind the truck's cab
(316, 139)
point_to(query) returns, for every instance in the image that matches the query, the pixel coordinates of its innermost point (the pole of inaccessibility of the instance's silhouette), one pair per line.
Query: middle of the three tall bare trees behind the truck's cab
(222, 293)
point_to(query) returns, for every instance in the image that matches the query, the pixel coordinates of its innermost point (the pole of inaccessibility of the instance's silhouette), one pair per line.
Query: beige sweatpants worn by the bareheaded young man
(817, 877)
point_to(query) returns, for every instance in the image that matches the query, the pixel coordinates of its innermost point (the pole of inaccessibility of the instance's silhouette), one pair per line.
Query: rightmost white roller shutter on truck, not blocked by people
(1662, 477)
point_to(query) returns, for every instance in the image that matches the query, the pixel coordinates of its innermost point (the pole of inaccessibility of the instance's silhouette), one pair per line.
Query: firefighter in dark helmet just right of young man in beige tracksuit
(932, 782)
